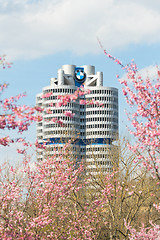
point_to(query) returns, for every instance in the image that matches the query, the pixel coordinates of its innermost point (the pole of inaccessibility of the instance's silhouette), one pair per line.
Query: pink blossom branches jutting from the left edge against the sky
(12, 115)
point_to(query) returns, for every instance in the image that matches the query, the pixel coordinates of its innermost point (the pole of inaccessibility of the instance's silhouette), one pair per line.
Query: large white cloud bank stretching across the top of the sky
(35, 28)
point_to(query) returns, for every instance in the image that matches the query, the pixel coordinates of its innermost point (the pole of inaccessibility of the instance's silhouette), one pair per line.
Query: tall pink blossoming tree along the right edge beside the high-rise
(143, 96)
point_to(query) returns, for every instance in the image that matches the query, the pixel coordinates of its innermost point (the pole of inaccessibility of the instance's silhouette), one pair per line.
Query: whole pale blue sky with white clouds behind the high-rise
(40, 36)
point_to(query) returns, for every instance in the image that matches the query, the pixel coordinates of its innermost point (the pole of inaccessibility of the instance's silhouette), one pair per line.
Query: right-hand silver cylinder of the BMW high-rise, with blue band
(101, 127)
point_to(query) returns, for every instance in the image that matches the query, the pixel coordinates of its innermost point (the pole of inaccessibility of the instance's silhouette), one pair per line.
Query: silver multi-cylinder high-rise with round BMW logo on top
(93, 127)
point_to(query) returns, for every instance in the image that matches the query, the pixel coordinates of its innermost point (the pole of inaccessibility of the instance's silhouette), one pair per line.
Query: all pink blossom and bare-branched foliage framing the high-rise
(53, 199)
